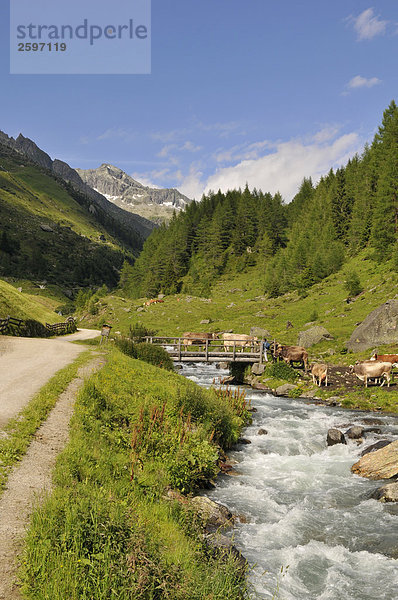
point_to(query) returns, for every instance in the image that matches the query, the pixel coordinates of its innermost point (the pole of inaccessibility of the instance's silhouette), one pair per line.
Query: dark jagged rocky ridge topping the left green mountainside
(97, 202)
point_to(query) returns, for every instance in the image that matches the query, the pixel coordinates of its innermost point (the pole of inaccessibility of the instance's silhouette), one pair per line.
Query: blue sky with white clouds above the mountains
(264, 92)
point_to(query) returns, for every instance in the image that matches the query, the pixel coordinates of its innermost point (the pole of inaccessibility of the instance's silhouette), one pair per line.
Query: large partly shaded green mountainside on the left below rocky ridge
(48, 232)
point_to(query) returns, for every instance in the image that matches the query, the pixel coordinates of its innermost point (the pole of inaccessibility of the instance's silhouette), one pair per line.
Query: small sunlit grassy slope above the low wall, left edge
(26, 306)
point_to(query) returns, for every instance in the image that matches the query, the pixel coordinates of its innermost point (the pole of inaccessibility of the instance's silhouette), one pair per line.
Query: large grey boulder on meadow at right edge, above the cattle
(379, 327)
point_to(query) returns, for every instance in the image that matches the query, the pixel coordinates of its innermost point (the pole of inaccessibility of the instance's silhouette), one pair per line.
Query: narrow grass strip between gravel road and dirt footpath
(20, 430)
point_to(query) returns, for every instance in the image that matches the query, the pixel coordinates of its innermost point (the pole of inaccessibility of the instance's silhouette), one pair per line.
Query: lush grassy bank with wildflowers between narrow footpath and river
(109, 529)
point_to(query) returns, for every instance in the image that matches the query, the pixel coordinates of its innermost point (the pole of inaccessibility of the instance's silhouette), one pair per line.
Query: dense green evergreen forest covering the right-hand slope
(293, 246)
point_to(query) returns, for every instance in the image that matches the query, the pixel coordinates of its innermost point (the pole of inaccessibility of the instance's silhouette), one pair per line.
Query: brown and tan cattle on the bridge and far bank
(378, 368)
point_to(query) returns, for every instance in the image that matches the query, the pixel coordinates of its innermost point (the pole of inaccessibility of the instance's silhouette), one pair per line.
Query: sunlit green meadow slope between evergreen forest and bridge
(239, 303)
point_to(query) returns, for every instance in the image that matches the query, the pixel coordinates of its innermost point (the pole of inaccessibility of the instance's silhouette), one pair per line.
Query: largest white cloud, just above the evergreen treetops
(284, 168)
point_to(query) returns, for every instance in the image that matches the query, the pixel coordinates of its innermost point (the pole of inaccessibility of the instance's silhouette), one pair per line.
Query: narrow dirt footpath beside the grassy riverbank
(31, 479)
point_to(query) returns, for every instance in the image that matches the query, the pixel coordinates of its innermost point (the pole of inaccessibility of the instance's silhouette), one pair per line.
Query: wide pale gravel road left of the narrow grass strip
(26, 364)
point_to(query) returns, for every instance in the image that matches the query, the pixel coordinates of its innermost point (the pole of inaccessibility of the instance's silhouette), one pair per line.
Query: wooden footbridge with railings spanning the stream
(209, 351)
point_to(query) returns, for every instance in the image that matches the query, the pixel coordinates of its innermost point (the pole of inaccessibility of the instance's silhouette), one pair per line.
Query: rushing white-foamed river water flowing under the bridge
(312, 531)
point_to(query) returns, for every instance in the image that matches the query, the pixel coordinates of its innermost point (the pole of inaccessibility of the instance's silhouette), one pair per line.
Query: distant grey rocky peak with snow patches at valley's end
(155, 204)
